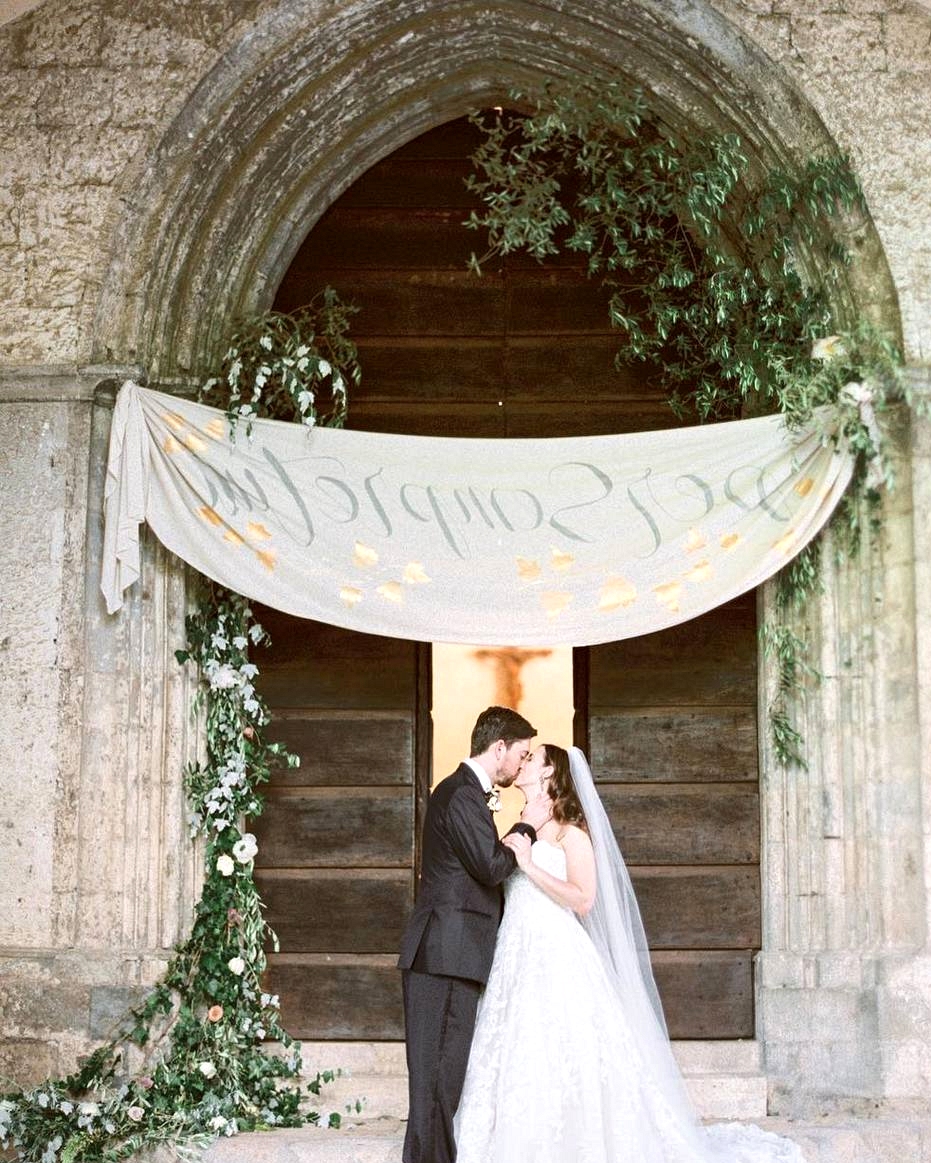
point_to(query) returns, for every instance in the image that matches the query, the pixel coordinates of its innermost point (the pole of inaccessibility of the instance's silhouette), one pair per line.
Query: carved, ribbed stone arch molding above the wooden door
(317, 94)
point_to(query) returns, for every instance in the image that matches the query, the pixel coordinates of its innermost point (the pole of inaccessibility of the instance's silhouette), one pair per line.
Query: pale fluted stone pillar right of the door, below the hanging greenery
(846, 869)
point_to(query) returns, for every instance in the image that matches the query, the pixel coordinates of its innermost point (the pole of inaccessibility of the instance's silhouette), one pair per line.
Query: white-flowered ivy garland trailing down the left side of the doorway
(190, 1065)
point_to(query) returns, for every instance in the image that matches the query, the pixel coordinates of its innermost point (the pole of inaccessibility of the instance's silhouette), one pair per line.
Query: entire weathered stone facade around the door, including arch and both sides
(116, 115)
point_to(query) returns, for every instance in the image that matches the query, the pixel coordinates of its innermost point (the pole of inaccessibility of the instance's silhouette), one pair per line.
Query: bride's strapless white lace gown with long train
(562, 1069)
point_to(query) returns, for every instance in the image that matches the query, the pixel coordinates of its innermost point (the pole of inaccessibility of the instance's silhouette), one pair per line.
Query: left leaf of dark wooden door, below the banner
(335, 865)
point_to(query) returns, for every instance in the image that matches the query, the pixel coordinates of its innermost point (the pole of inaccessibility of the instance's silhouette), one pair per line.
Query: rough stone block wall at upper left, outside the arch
(87, 91)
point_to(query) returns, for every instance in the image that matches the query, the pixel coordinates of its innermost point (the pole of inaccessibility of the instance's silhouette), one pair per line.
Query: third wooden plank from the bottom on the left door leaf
(346, 827)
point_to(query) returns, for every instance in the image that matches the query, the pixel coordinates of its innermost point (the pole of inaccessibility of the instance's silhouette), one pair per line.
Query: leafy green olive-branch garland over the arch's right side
(720, 276)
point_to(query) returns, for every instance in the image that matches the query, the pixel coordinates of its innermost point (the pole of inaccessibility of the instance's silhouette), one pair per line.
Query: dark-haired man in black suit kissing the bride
(450, 939)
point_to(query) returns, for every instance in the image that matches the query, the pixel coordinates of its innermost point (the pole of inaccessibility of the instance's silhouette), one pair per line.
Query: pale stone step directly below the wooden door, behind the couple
(725, 1080)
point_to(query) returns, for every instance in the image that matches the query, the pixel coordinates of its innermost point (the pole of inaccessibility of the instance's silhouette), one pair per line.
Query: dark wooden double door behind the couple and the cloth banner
(670, 720)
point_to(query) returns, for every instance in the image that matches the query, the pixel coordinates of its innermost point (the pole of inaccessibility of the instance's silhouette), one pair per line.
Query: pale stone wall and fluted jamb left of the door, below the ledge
(104, 871)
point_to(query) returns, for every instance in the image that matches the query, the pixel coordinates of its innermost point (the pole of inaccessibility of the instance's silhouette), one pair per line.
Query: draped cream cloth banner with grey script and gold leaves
(577, 540)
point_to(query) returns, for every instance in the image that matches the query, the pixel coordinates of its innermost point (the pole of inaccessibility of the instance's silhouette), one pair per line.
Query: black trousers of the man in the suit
(440, 1016)
